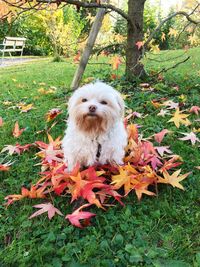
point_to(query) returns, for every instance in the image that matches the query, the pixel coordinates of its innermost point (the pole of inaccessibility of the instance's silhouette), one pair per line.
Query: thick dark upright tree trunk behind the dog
(134, 34)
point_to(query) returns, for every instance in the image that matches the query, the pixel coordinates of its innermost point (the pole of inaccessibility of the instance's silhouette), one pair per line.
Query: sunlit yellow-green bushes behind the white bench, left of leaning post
(47, 31)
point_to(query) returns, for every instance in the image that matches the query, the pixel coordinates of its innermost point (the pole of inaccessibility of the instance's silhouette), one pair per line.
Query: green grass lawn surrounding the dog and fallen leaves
(158, 231)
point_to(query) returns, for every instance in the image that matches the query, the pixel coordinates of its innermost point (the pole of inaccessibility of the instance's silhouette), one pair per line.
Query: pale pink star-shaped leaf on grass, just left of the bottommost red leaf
(47, 207)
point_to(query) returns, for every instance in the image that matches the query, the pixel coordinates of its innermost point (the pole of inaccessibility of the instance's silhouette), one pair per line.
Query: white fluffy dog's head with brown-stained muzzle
(96, 107)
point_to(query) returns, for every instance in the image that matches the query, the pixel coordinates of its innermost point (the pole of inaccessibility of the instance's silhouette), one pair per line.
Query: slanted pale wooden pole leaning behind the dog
(88, 48)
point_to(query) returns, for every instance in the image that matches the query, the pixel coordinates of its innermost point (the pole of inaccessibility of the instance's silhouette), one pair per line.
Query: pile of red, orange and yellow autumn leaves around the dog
(145, 165)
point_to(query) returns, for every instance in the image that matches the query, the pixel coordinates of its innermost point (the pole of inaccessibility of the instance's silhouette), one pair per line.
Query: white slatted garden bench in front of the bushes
(12, 44)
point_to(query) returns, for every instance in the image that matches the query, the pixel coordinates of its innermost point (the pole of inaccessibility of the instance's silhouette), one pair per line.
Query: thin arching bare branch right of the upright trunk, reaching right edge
(179, 13)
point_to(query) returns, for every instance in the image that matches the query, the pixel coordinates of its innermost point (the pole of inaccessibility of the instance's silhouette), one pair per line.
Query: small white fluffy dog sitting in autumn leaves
(95, 132)
